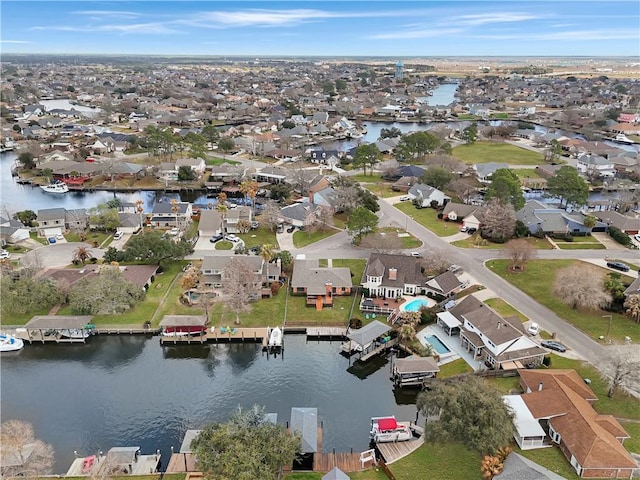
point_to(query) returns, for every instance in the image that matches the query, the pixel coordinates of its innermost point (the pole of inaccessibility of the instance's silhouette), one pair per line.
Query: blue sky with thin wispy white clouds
(324, 28)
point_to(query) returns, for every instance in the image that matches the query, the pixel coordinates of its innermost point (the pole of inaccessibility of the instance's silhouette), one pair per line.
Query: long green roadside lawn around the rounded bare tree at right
(538, 280)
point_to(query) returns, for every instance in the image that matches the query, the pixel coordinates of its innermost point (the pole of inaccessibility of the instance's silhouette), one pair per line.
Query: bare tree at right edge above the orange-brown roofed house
(621, 369)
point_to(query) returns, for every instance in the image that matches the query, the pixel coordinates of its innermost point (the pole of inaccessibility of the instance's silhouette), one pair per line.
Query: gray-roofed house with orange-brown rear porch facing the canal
(320, 284)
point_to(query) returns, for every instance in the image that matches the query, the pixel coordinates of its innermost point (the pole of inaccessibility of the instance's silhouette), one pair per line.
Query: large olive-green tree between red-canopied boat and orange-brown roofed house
(471, 411)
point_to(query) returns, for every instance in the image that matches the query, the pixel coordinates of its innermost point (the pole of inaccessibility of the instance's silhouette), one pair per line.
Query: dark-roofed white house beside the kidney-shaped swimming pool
(392, 276)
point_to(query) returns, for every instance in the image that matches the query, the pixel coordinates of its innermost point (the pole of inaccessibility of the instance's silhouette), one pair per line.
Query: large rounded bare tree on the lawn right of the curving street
(582, 286)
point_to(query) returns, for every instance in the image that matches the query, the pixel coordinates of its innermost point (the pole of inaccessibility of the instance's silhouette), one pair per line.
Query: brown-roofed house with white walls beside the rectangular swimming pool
(499, 342)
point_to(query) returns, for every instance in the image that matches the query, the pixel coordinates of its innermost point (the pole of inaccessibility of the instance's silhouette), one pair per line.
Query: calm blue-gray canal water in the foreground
(128, 390)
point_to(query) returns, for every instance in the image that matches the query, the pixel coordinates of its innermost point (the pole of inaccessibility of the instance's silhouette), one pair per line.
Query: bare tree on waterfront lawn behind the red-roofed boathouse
(240, 285)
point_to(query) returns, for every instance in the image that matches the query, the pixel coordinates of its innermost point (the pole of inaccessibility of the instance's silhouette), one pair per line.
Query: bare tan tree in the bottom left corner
(23, 455)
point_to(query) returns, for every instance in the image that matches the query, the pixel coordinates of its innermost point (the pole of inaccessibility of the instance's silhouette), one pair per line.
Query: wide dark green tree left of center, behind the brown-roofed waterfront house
(151, 247)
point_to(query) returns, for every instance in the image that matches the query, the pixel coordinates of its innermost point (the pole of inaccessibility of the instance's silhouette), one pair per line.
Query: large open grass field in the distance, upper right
(485, 152)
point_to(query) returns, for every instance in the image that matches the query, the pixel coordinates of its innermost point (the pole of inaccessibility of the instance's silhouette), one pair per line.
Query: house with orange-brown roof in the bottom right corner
(562, 404)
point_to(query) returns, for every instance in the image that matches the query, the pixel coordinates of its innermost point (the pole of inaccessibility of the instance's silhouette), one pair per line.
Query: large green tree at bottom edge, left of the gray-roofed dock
(245, 448)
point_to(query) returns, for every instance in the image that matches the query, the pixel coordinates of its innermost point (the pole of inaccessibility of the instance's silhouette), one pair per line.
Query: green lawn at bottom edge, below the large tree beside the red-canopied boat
(452, 461)
